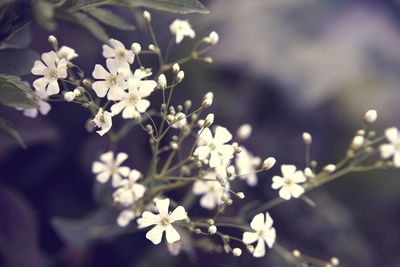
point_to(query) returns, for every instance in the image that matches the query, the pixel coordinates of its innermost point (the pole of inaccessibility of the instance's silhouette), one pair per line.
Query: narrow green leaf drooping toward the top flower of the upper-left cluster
(87, 22)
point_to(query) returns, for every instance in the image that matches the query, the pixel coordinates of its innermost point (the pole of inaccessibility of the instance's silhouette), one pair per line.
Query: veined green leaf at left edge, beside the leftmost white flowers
(15, 93)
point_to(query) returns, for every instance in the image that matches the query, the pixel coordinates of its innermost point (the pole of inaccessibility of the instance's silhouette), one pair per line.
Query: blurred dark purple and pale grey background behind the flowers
(284, 67)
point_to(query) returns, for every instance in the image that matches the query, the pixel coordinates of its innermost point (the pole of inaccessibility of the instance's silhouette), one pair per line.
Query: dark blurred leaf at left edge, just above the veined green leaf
(17, 61)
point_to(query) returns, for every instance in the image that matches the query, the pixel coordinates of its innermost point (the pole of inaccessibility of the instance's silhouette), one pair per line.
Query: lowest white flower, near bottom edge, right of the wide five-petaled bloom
(263, 233)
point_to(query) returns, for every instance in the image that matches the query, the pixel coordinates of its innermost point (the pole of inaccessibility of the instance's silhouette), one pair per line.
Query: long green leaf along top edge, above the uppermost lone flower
(175, 6)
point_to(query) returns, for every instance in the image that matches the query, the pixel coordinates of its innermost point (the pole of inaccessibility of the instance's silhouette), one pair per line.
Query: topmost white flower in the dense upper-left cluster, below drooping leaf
(118, 52)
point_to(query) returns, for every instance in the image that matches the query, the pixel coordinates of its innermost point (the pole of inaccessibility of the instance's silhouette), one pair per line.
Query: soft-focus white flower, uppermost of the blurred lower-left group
(110, 167)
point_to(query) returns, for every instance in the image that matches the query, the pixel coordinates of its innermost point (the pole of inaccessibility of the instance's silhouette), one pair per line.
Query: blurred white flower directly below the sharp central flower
(213, 193)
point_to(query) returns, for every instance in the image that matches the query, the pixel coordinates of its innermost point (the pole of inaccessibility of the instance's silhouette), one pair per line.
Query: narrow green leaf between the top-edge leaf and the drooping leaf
(107, 17)
